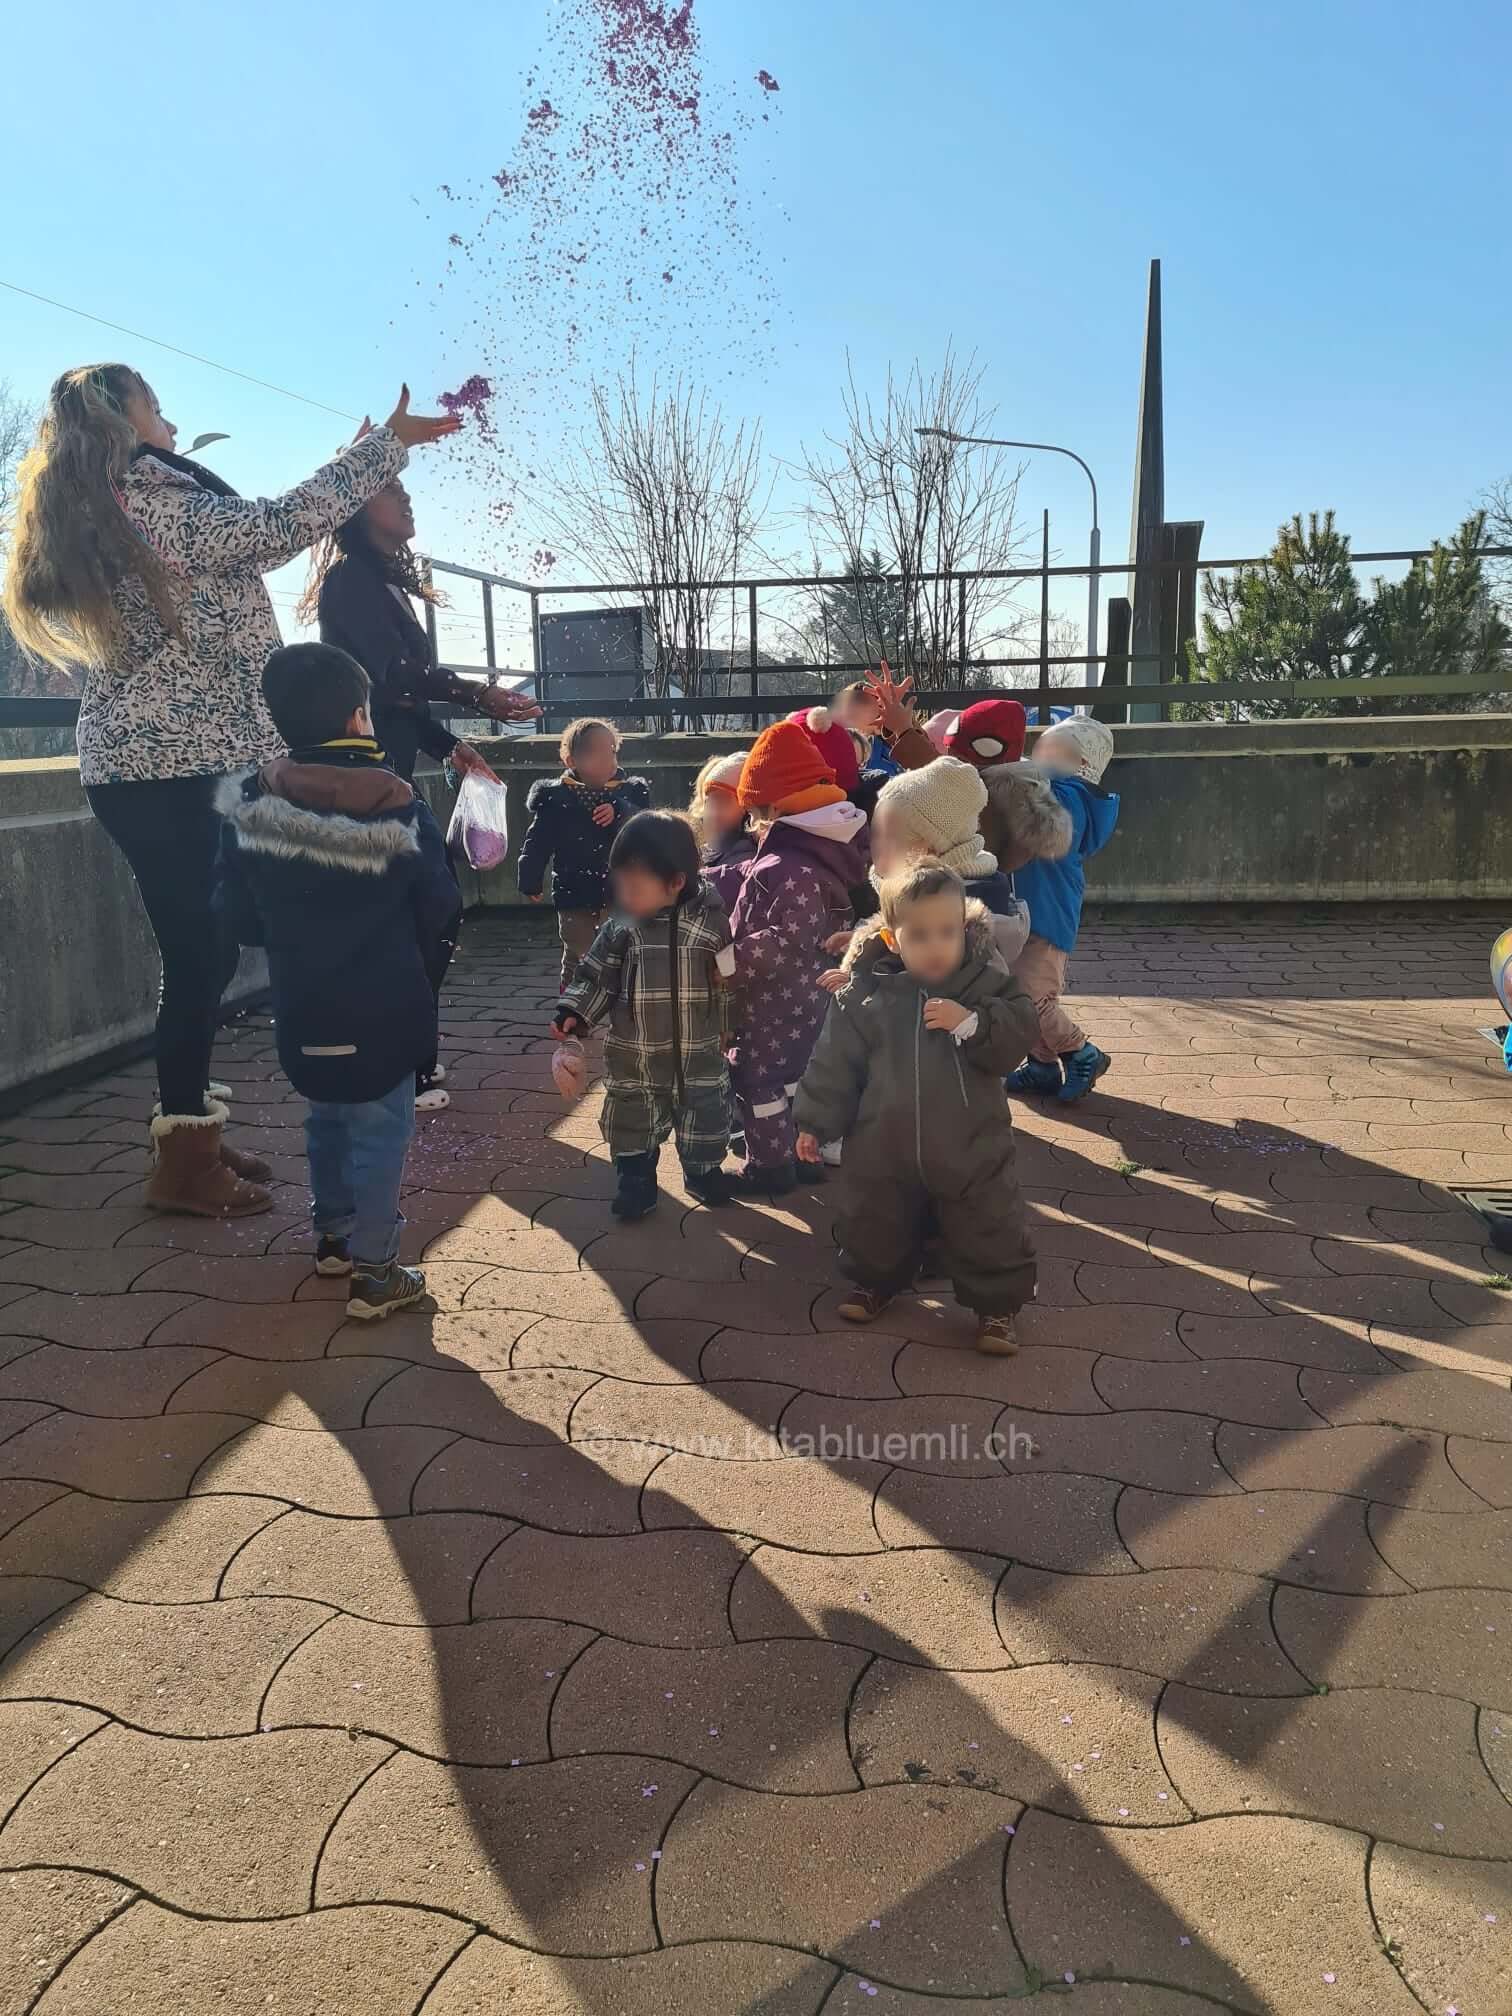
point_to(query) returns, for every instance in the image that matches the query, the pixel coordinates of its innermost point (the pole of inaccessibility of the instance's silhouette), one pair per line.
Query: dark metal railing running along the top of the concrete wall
(757, 686)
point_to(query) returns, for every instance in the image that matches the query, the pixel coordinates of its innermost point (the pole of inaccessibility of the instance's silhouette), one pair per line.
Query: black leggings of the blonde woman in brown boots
(170, 834)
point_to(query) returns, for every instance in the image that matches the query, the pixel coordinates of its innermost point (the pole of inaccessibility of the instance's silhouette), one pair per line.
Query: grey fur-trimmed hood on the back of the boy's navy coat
(362, 826)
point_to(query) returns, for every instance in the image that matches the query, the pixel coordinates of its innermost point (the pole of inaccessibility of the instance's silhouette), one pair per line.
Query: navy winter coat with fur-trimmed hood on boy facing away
(340, 870)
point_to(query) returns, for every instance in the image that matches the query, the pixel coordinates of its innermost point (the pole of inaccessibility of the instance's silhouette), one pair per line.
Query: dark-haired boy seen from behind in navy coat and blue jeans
(340, 870)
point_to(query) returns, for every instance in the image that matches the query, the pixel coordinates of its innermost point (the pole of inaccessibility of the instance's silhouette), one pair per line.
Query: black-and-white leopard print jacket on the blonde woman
(193, 705)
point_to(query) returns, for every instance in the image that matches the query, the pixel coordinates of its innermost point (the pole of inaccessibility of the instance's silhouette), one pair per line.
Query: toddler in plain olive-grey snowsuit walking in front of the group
(910, 1072)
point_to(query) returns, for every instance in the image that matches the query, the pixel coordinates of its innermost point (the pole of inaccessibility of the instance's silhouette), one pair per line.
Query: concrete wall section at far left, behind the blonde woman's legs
(80, 967)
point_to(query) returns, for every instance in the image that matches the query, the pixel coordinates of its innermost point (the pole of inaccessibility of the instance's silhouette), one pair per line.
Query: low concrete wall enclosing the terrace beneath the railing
(1275, 811)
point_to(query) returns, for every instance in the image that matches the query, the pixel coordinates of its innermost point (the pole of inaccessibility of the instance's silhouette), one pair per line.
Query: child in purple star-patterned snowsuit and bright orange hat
(793, 900)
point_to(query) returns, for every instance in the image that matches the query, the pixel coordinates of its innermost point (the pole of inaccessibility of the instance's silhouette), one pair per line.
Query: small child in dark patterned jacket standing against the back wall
(574, 826)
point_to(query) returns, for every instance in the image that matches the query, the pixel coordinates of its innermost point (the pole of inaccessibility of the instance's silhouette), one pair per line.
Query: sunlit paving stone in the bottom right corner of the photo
(1453, 1922)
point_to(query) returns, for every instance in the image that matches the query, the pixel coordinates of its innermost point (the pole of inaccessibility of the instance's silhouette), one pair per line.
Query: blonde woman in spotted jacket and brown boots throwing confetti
(146, 572)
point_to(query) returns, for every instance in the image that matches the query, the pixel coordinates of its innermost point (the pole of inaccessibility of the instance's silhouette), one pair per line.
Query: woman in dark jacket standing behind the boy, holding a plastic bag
(360, 594)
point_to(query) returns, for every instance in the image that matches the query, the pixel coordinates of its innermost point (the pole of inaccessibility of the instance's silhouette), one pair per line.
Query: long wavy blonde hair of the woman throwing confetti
(74, 541)
